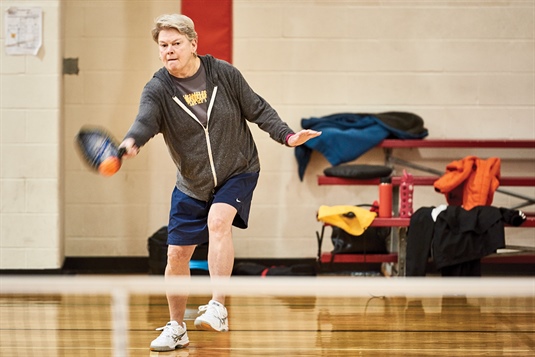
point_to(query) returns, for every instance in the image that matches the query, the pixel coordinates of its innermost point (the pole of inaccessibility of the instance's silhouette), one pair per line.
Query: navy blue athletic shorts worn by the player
(188, 216)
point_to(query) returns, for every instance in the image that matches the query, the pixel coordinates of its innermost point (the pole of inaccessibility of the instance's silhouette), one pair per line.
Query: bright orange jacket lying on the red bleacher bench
(470, 182)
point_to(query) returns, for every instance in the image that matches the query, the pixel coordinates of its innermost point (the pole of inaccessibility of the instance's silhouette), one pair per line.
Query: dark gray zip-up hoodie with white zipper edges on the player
(206, 157)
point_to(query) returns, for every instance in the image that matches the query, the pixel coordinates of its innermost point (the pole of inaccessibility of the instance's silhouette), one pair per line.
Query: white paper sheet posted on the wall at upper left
(23, 30)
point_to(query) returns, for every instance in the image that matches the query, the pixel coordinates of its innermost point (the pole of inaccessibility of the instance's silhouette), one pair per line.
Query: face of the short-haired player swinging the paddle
(177, 52)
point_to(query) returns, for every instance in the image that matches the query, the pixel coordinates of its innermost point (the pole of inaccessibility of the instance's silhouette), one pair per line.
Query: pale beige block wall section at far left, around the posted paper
(31, 229)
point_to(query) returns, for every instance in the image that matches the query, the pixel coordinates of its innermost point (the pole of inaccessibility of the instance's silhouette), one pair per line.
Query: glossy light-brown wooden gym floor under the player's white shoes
(69, 325)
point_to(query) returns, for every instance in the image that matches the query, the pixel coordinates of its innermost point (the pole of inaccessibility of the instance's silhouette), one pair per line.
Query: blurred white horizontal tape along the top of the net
(272, 286)
